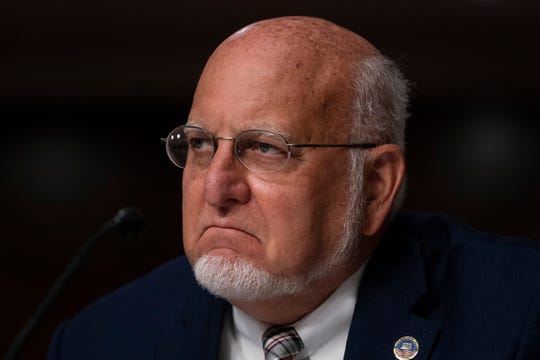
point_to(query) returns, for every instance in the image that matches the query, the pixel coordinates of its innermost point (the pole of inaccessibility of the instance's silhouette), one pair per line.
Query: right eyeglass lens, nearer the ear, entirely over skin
(262, 151)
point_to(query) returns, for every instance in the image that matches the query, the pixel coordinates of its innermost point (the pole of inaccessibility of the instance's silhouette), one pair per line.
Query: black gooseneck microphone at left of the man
(128, 221)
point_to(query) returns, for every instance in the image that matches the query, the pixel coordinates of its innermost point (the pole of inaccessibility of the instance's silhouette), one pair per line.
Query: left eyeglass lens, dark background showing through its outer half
(188, 145)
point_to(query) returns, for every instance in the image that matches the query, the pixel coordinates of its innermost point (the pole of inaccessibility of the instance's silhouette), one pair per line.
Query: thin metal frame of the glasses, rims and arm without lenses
(215, 143)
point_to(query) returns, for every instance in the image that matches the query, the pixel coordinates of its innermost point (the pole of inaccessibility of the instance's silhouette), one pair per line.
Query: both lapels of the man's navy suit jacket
(390, 305)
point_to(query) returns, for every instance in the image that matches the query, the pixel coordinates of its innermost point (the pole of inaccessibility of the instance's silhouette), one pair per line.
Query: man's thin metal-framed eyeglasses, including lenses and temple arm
(261, 151)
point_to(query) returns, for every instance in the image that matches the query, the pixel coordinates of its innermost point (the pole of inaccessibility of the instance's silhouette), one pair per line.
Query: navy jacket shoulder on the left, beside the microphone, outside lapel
(132, 319)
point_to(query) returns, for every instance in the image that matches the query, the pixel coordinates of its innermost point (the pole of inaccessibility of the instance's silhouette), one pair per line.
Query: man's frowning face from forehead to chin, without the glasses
(285, 225)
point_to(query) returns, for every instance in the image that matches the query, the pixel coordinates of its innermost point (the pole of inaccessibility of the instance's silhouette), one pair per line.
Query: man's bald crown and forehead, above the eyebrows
(306, 62)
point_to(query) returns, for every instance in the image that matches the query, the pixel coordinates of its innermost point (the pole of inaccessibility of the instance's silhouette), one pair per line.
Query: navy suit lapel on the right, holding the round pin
(389, 294)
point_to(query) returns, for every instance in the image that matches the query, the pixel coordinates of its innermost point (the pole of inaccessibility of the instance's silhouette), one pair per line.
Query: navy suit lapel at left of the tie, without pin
(197, 331)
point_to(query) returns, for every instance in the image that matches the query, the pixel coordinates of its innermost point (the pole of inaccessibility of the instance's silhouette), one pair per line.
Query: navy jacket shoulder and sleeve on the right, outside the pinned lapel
(480, 288)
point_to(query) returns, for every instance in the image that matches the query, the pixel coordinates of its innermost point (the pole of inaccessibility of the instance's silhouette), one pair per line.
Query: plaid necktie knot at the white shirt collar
(281, 343)
